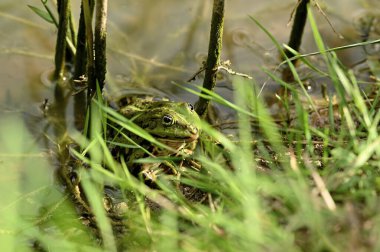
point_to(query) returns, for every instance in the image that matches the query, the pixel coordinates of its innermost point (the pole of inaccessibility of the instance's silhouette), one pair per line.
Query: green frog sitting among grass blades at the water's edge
(173, 124)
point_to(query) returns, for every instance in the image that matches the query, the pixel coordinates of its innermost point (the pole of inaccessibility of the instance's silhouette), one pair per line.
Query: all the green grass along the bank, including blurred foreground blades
(276, 186)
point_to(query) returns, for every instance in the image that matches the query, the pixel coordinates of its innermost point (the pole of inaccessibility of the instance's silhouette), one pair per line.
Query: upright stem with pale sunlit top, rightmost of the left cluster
(100, 41)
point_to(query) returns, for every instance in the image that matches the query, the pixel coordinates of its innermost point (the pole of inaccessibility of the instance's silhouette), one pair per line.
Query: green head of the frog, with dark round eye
(167, 120)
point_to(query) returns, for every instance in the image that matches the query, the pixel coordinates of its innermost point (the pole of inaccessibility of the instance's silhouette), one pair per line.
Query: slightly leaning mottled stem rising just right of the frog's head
(214, 51)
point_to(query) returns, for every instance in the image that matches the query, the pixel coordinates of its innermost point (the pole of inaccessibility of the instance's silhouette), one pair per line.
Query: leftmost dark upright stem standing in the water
(60, 49)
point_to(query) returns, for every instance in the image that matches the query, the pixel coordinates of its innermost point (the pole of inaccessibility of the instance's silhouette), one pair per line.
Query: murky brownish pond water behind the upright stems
(154, 45)
